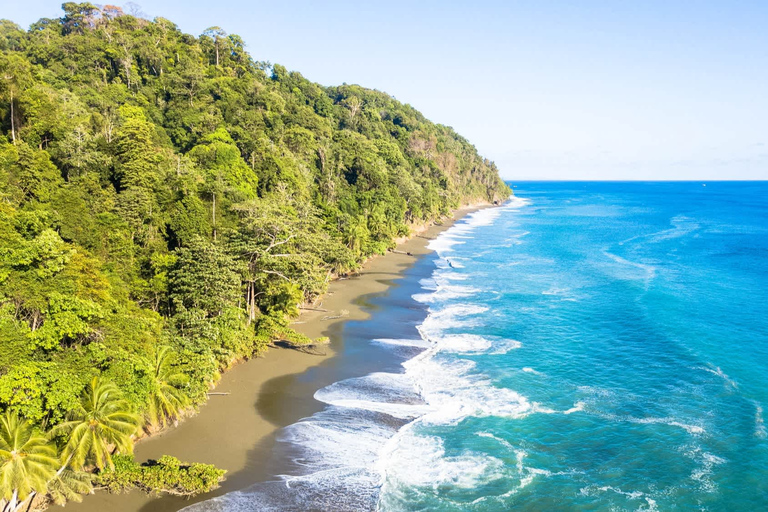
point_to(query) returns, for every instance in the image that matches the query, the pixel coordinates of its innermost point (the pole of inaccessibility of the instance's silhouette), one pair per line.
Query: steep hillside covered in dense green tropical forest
(167, 202)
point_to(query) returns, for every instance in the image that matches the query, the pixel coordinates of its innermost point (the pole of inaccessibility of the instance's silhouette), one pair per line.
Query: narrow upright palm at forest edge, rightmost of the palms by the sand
(167, 400)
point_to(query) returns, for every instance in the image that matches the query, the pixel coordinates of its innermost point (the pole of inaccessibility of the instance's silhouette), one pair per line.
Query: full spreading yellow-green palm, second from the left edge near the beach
(101, 424)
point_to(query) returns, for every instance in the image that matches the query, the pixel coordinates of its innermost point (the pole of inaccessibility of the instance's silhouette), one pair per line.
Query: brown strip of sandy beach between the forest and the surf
(237, 431)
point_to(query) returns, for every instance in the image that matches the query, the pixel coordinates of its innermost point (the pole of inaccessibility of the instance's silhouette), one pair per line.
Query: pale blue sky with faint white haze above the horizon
(619, 90)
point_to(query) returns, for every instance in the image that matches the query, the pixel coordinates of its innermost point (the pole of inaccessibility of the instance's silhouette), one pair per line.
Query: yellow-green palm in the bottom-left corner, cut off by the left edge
(27, 462)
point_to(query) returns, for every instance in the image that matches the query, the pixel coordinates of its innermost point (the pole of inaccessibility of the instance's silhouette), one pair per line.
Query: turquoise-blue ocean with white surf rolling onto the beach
(585, 346)
